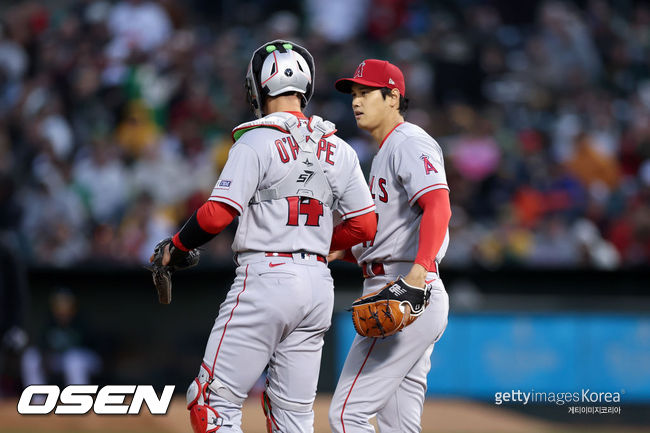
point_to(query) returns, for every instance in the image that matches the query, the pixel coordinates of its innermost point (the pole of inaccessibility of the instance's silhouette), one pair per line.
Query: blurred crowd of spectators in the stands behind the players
(115, 118)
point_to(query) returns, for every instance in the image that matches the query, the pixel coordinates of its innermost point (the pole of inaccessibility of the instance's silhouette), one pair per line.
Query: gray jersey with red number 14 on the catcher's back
(265, 155)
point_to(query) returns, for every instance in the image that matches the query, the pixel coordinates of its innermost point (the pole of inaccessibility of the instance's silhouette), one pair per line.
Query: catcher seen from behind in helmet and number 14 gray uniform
(284, 176)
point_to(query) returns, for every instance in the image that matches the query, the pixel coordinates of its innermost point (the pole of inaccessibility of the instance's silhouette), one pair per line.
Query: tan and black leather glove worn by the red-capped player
(386, 311)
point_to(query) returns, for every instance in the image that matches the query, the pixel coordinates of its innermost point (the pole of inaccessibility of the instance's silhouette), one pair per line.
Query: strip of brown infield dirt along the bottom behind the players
(440, 416)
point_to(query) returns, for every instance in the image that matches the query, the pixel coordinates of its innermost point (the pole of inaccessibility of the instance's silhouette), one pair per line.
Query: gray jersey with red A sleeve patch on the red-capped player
(408, 164)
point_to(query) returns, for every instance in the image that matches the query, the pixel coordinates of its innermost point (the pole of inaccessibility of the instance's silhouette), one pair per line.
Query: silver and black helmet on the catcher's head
(277, 67)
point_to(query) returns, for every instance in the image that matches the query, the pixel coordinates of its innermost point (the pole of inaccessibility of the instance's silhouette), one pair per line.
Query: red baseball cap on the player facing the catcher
(374, 73)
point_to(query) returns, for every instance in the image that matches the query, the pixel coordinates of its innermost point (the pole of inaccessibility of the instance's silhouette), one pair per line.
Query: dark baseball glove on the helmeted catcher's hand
(162, 274)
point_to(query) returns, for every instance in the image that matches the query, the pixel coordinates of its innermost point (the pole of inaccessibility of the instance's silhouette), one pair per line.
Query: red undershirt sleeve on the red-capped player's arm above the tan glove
(433, 225)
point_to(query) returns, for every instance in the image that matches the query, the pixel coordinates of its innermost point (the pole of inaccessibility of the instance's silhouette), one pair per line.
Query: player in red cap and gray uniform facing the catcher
(387, 377)
